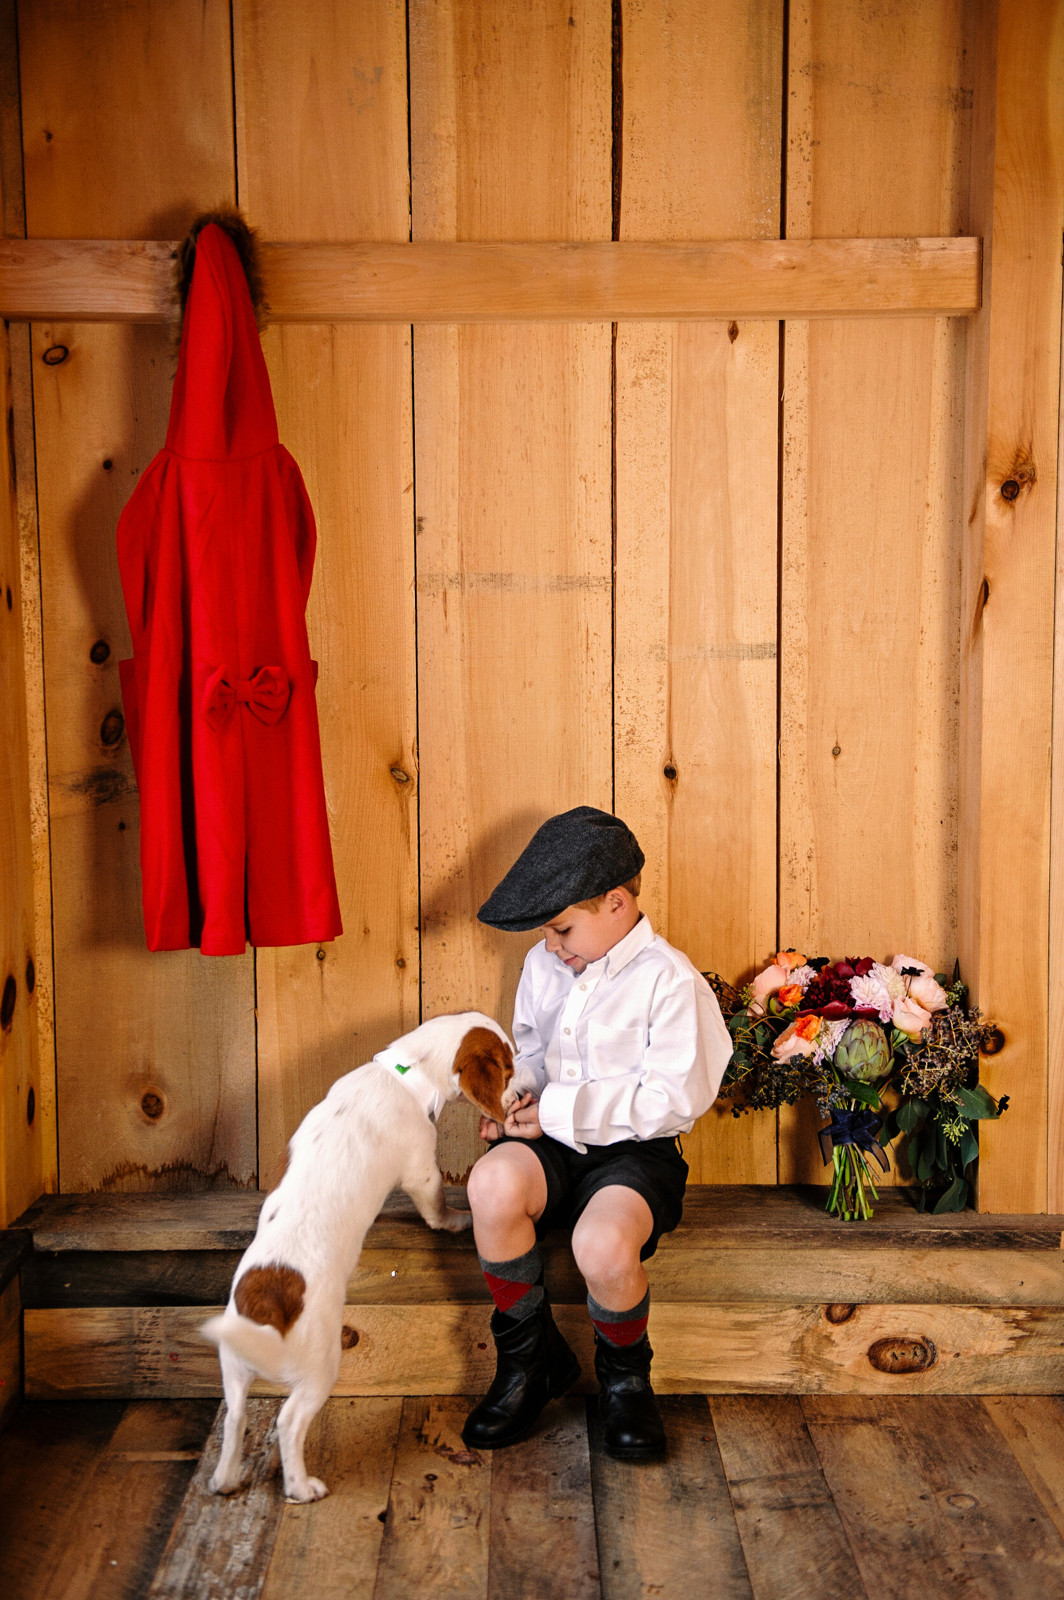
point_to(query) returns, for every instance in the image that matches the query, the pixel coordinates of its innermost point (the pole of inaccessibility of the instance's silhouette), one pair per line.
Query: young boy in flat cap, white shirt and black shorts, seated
(623, 1047)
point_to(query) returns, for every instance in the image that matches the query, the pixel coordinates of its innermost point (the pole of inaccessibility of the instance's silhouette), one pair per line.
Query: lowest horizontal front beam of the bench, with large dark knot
(439, 1348)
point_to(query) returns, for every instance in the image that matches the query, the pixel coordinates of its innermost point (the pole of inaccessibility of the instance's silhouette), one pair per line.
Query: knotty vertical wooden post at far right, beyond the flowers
(1014, 399)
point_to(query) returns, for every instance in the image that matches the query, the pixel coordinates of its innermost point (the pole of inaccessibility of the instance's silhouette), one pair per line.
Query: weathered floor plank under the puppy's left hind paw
(222, 1545)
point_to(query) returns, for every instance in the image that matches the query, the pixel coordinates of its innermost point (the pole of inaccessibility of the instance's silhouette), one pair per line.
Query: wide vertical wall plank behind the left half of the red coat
(127, 116)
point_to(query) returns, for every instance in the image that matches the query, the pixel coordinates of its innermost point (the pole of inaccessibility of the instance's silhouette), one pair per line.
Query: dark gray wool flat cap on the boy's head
(570, 858)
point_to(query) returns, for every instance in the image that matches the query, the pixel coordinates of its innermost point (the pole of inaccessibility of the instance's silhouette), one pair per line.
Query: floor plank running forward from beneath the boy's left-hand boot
(543, 1521)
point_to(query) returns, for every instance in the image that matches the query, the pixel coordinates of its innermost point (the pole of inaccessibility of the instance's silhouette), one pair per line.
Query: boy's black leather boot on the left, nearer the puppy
(535, 1364)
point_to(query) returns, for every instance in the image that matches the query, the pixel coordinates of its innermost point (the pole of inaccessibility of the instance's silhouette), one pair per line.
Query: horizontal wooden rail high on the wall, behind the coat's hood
(132, 281)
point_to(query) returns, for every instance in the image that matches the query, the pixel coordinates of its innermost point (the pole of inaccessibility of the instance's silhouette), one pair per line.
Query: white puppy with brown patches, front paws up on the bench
(372, 1134)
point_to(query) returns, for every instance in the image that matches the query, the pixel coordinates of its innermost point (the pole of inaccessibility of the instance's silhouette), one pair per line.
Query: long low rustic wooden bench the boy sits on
(756, 1292)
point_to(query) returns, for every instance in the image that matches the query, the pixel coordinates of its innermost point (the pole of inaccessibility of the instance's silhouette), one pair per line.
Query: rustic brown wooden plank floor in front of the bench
(766, 1497)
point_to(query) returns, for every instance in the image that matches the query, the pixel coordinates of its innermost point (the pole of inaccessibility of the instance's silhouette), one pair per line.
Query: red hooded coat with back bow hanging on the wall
(217, 553)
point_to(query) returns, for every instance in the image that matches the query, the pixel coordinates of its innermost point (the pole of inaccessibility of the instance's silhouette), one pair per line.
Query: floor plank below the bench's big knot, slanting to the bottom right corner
(994, 1516)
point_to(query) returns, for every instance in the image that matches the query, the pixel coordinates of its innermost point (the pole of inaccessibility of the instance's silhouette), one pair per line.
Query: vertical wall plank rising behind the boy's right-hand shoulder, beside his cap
(697, 420)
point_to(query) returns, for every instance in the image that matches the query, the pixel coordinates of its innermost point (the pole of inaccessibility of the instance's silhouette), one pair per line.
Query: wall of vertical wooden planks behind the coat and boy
(710, 575)
